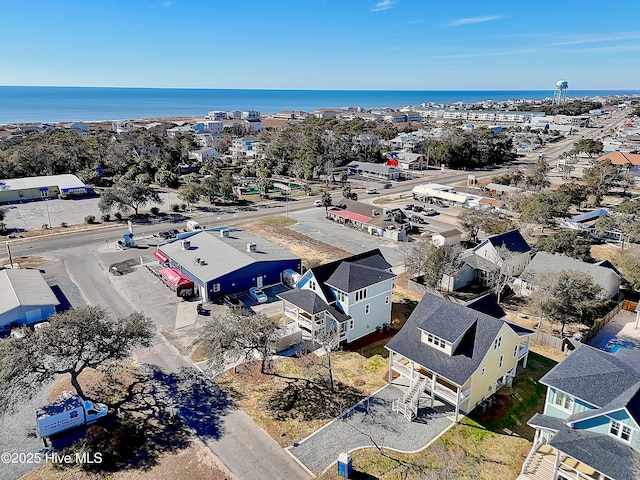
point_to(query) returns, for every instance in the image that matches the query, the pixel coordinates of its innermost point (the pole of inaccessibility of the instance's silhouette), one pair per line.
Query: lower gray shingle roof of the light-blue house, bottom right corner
(601, 452)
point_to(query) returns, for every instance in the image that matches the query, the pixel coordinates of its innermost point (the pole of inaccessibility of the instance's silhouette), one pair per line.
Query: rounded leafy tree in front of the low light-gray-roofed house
(575, 298)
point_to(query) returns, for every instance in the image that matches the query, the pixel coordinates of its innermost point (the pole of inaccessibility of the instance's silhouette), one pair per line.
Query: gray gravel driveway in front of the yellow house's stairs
(372, 421)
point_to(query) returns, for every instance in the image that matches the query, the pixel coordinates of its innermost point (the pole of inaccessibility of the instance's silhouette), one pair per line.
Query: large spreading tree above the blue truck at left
(74, 341)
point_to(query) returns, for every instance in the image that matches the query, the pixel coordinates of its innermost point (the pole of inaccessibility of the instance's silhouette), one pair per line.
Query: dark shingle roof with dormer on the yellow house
(449, 321)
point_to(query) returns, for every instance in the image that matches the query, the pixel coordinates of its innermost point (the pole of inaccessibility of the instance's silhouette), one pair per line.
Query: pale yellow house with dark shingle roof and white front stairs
(455, 353)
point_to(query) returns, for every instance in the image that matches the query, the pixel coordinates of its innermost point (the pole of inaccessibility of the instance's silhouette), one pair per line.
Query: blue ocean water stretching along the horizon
(62, 104)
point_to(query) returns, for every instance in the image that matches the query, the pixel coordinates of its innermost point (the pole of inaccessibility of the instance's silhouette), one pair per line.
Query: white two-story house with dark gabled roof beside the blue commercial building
(352, 296)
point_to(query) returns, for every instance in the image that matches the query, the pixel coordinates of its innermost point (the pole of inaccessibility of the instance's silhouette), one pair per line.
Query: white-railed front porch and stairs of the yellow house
(423, 380)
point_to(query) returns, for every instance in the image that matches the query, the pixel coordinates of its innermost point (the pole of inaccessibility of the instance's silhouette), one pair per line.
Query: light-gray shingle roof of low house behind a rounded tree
(544, 263)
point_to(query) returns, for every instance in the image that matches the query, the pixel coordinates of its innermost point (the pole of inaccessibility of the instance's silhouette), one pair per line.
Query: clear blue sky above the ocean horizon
(321, 44)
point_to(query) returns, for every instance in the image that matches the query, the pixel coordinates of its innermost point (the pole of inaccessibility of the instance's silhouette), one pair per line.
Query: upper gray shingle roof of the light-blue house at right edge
(592, 375)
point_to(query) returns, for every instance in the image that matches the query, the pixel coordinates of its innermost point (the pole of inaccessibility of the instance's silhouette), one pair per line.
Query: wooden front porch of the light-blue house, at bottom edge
(546, 463)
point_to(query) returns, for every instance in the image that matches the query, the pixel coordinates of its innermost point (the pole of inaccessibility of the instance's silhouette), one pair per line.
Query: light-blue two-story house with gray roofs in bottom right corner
(590, 427)
